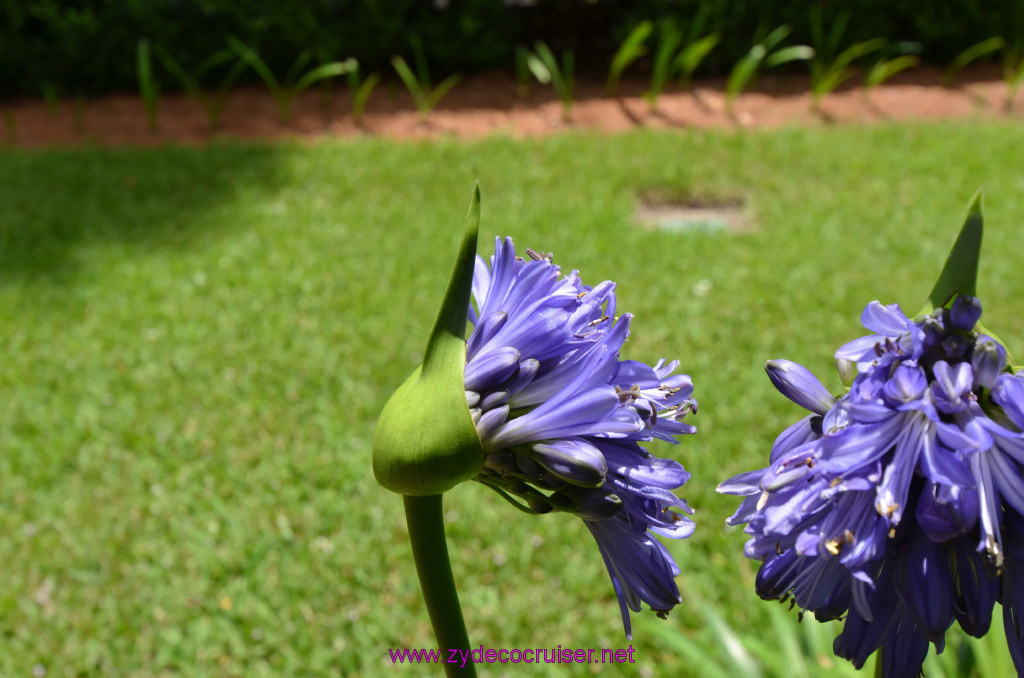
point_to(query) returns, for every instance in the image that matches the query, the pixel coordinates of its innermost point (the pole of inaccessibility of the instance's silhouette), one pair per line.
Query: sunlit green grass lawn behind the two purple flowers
(199, 342)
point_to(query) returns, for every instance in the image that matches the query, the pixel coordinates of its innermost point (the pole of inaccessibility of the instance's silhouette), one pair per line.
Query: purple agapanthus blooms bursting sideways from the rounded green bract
(562, 417)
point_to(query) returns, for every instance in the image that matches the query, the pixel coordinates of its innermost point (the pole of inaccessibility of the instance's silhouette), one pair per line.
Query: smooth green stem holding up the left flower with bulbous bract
(426, 532)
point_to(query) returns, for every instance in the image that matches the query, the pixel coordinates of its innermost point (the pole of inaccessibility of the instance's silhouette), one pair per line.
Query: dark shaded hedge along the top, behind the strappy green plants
(86, 48)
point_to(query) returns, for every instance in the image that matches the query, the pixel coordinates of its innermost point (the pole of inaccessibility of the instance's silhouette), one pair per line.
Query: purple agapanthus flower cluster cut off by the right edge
(899, 506)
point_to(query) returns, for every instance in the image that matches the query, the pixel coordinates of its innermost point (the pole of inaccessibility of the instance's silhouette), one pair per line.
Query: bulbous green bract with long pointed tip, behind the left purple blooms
(426, 442)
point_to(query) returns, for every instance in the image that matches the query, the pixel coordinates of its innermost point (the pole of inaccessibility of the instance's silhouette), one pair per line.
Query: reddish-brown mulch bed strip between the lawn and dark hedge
(489, 105)
